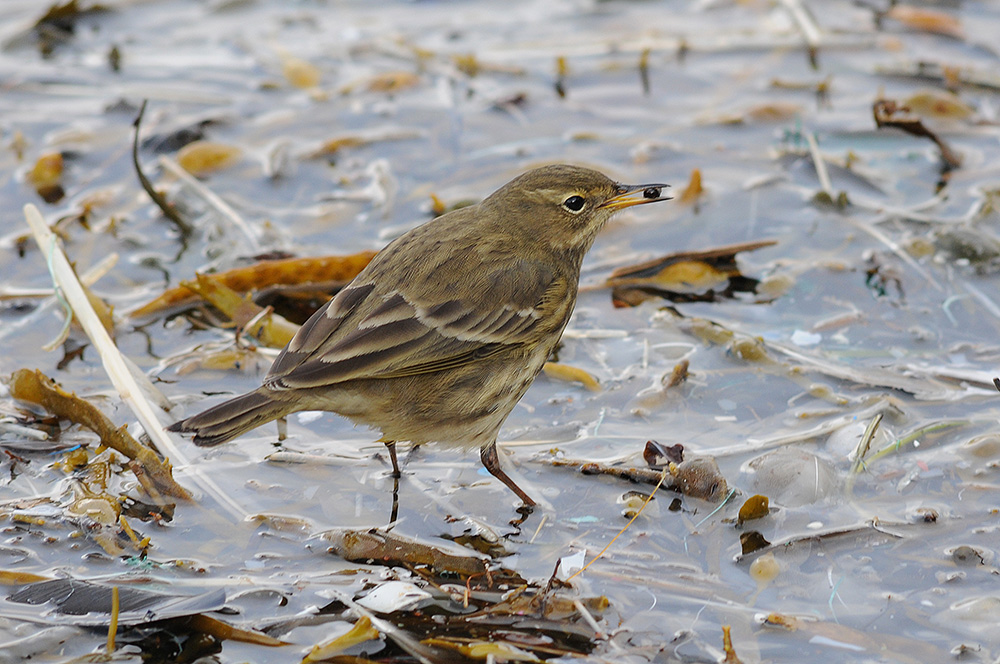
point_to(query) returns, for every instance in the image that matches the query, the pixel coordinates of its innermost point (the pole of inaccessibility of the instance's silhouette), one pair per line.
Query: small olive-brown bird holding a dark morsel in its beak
(440, 336)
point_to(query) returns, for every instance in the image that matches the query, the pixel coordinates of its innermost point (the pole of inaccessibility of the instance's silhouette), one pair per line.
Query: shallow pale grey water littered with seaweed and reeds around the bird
(888, 306)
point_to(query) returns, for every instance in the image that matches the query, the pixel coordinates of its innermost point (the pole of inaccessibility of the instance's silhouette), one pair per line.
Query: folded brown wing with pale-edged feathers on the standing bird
(367, 332)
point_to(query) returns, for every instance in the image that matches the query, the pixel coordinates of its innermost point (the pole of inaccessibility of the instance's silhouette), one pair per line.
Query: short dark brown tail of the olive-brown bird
(232, 418)
